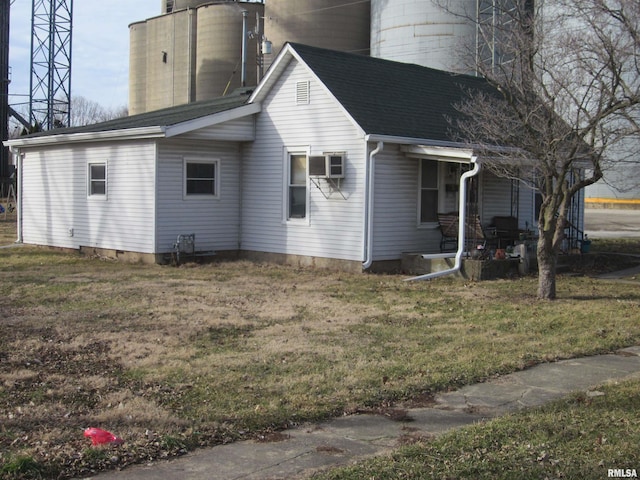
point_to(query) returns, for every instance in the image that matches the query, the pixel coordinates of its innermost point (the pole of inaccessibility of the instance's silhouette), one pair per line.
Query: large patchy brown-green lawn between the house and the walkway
(171, 359)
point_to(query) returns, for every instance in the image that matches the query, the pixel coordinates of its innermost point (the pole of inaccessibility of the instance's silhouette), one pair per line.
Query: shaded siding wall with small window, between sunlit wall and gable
(215, 221)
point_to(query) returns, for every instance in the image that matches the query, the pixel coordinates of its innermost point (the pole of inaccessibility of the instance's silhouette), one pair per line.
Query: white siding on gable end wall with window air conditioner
(334, 225)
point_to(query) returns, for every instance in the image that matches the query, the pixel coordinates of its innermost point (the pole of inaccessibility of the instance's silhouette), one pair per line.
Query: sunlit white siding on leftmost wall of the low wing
(55, 200)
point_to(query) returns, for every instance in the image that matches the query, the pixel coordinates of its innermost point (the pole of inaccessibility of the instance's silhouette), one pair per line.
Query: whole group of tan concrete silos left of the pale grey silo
(194, 50)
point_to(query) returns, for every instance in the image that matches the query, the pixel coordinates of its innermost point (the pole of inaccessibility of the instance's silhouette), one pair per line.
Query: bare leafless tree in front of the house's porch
(565, 102)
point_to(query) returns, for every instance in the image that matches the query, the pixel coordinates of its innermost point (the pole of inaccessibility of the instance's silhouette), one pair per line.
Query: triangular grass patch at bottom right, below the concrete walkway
(578, 437)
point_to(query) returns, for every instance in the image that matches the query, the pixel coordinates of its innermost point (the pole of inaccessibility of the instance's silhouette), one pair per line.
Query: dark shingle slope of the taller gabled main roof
(391, 98)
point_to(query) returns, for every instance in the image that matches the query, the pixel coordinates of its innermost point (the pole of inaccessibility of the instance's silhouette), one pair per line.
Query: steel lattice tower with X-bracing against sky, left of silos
(50, 95)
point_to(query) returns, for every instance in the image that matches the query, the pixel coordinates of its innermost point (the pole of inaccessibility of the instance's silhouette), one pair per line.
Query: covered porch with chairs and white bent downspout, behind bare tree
(488, 226)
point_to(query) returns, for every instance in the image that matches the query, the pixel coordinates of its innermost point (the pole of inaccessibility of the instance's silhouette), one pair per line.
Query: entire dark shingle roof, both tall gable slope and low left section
(382, 96)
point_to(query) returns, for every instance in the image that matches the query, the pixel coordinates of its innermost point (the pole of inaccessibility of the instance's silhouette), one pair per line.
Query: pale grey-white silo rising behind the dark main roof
(421, 32)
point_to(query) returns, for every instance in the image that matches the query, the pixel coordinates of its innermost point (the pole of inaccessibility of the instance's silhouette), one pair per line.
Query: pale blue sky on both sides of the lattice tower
(100, 48)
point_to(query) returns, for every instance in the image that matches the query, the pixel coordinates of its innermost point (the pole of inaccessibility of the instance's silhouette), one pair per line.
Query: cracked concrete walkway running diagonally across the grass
(298, 452)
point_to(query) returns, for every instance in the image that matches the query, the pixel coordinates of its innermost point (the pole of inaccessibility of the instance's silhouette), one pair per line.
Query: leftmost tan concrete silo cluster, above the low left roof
(192, 52)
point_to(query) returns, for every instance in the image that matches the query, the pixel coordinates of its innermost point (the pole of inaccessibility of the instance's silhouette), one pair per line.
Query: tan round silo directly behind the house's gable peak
(333, 24)
